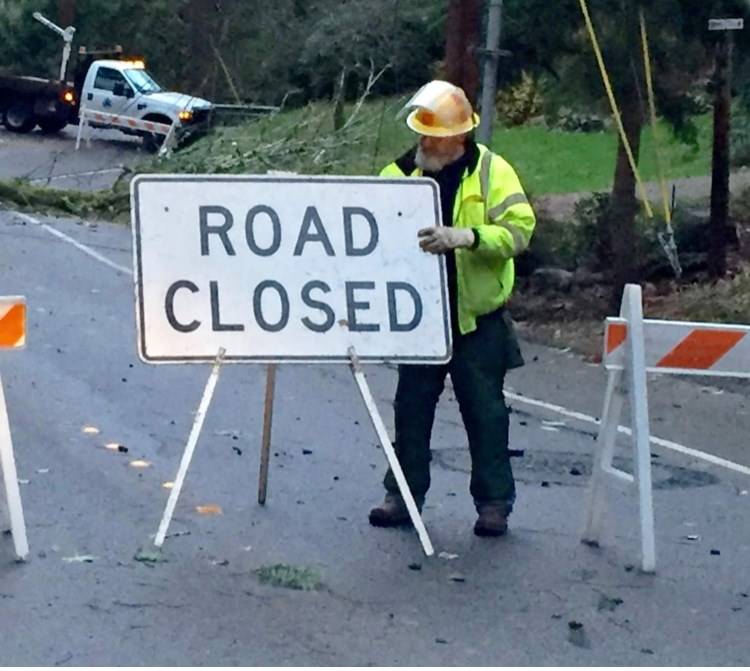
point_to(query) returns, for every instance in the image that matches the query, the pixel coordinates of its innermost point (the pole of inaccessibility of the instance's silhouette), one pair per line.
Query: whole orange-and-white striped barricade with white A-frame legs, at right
(633, 347)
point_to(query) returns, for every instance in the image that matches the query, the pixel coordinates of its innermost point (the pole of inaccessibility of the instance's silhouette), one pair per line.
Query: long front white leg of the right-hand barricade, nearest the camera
(638, 397)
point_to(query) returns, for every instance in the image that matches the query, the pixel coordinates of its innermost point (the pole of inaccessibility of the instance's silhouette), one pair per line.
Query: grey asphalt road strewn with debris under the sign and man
(509, 601)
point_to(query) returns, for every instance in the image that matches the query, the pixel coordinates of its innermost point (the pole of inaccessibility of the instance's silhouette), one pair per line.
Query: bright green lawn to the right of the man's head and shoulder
(550, 161)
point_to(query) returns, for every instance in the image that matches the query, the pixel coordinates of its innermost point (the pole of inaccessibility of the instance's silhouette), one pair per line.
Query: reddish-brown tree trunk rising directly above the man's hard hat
(463, 35)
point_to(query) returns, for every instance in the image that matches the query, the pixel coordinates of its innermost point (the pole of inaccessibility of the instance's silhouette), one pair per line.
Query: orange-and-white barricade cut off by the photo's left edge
(12, 336)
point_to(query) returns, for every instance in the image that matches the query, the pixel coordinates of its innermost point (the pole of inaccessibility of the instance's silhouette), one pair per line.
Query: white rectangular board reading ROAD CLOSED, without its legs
(287, 269)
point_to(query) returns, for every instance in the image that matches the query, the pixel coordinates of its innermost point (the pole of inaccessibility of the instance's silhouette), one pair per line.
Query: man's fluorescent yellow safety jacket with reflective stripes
(491, 201)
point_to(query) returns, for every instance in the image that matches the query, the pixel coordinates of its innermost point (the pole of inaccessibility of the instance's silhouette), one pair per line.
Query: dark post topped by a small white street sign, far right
(720, 225)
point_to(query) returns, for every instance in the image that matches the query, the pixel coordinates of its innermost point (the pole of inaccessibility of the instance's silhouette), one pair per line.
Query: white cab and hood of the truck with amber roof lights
(126, 88)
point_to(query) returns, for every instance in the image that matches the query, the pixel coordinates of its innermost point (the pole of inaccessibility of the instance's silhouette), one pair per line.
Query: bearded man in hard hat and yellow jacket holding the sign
(487, 221)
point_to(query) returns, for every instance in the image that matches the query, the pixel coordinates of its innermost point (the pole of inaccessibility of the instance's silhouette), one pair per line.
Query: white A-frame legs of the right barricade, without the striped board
(631, 384)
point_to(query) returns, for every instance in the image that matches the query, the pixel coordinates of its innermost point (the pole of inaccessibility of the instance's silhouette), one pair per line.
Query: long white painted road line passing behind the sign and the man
(560, 410)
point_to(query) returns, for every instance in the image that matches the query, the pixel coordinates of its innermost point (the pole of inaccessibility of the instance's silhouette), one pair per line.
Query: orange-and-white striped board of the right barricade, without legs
(687, 348)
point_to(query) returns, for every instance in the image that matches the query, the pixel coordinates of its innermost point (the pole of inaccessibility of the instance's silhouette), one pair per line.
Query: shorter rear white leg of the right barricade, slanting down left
(604, 452)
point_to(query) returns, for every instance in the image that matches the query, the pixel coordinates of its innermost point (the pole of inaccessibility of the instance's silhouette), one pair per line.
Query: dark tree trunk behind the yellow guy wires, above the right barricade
(619, 232)
